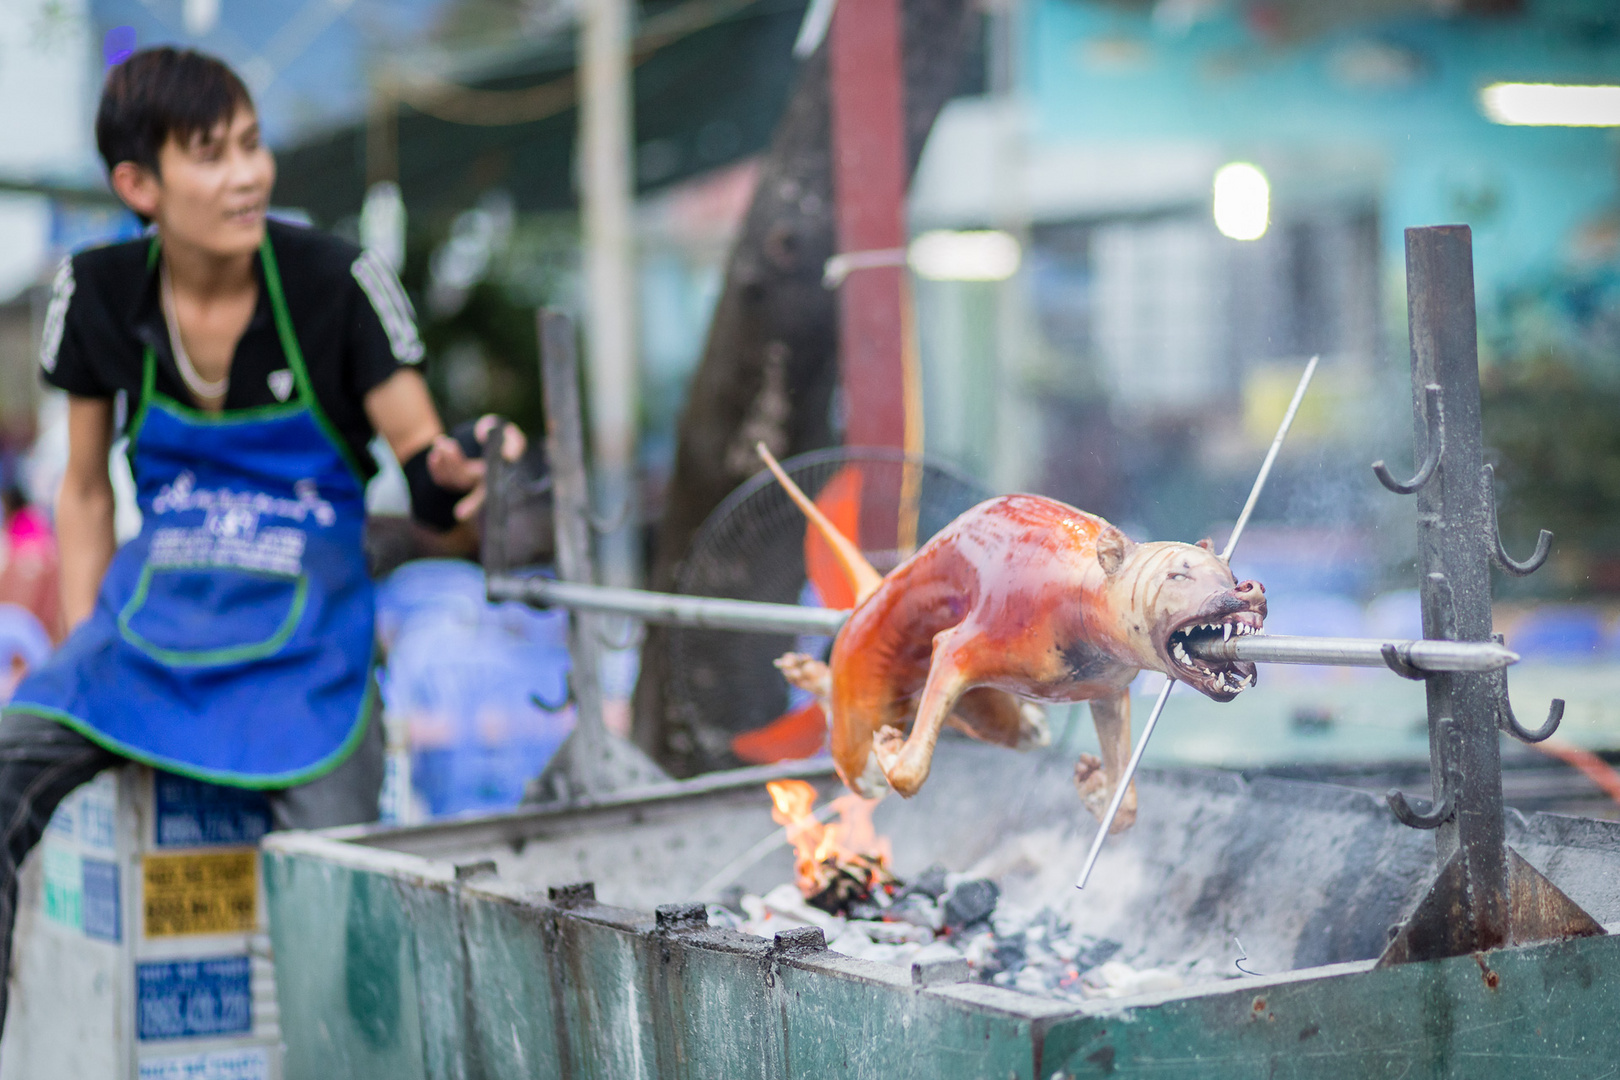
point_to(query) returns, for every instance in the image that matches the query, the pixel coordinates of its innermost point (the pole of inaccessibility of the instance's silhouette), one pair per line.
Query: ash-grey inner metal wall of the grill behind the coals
(1302, 874)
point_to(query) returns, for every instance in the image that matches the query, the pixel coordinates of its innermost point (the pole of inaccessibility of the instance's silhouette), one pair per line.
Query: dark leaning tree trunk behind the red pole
(770, 364)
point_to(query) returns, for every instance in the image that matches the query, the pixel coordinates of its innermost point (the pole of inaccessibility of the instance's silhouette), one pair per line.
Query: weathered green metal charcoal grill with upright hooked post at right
(571, 940)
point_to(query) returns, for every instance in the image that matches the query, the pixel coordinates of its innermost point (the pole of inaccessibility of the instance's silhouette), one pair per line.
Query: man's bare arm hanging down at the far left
(85, 508)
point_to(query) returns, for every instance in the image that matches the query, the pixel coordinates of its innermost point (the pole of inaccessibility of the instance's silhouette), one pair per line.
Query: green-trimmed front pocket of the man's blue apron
(210, 618)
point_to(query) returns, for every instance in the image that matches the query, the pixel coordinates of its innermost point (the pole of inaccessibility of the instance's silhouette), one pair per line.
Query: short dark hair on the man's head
(161, 93)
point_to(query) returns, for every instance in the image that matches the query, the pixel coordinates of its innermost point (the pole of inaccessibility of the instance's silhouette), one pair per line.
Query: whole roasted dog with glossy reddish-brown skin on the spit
(1021, 600)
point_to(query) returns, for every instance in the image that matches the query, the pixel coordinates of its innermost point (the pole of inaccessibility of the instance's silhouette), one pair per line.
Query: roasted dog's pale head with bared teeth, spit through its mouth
(1172, 597)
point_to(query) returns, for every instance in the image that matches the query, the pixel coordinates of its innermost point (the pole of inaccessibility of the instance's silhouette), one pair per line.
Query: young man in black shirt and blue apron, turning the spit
(250, 364)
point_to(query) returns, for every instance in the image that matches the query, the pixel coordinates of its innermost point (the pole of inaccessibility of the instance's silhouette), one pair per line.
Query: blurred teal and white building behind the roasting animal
(1140, 359)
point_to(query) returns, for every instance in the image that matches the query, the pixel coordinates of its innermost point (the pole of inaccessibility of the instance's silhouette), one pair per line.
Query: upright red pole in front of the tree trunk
(869, 184)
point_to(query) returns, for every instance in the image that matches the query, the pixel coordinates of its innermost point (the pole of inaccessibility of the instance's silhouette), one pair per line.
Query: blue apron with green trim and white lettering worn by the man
(232, 640)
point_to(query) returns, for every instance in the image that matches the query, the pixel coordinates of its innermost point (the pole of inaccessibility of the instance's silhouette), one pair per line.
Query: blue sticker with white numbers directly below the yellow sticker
(182, 1000)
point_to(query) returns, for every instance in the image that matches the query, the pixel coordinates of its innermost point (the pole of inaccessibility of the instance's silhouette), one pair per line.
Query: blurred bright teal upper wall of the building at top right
(1418, 143)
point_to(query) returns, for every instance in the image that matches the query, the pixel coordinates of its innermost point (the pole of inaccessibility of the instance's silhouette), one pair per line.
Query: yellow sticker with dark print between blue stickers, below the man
(215, 893)
